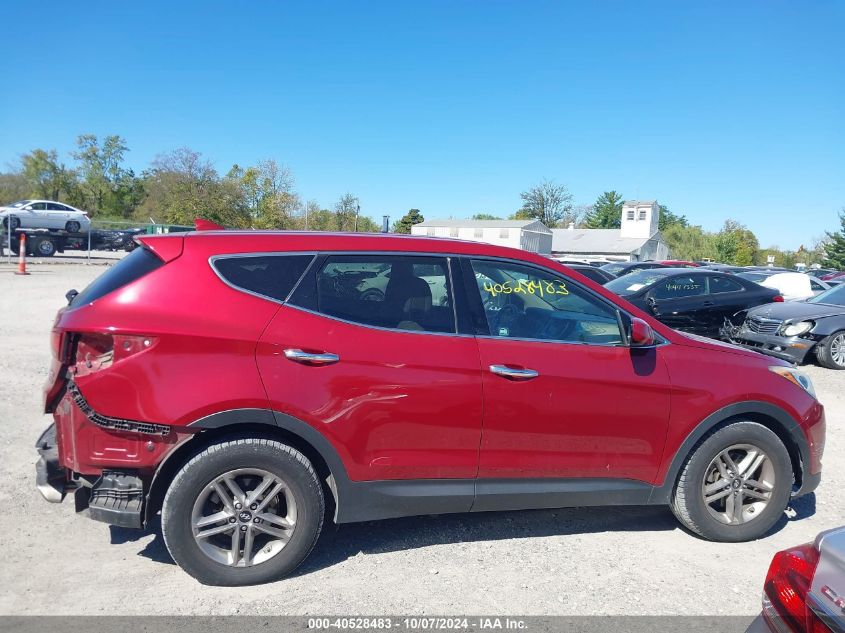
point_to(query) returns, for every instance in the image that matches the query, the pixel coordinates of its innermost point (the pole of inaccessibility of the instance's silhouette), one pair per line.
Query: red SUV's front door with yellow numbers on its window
(564, 397)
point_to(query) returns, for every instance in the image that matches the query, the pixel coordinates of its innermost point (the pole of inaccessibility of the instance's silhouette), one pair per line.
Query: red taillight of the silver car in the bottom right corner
(785, 591)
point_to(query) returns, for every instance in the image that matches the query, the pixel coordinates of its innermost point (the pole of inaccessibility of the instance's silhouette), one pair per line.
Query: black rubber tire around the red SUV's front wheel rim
(688, 502)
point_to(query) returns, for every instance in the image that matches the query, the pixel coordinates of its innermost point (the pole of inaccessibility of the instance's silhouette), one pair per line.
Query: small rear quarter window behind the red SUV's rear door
(270, 276)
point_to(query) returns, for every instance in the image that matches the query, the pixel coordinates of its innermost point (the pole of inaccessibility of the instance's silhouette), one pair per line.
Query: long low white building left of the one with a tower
(529, 235)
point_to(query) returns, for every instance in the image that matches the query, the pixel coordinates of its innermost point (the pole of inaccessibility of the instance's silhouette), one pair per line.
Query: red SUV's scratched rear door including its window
(366, 351)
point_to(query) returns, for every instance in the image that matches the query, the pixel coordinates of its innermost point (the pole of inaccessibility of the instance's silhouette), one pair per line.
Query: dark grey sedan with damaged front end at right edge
(795, 330)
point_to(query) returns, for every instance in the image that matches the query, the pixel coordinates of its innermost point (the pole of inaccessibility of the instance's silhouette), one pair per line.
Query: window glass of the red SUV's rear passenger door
(400, 292)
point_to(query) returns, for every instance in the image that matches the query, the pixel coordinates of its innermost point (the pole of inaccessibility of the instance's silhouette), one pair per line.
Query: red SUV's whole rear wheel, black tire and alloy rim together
(243, 512)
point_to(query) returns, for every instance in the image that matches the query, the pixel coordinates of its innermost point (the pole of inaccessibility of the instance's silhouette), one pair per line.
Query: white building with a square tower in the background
(638, 240)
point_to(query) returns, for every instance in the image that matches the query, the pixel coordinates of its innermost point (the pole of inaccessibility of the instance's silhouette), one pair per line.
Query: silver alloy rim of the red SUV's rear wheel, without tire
(244, 517)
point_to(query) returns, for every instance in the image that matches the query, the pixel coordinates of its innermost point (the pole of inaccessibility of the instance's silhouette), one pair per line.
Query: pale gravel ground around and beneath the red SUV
(547, 562)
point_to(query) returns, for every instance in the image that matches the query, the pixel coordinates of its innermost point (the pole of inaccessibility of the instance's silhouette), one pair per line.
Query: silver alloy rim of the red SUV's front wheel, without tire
(738, 484)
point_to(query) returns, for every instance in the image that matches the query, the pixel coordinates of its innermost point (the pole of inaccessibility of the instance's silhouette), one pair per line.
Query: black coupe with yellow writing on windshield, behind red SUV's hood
(691, 300)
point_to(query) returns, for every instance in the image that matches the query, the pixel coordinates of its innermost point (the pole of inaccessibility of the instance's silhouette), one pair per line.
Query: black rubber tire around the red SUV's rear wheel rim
(278, 459)
